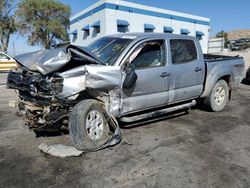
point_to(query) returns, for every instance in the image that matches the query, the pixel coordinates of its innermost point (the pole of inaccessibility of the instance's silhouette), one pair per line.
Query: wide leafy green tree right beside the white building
(45, 22)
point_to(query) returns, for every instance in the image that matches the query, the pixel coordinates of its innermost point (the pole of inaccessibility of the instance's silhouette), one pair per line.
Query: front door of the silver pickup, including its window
(148, 60)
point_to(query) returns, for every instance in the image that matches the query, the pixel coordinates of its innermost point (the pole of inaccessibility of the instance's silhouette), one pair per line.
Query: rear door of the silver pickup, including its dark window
(187, 70)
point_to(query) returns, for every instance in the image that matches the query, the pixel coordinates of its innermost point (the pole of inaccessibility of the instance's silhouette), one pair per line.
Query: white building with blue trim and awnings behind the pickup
(113, 16)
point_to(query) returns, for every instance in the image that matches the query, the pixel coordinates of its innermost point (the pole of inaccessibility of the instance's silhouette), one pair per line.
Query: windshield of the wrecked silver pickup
(108, 49)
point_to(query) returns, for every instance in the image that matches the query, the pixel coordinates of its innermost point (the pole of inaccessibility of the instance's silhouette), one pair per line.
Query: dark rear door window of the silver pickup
(183, 51)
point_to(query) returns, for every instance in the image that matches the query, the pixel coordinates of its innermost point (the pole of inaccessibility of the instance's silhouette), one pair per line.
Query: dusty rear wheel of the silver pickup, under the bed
(213, 102)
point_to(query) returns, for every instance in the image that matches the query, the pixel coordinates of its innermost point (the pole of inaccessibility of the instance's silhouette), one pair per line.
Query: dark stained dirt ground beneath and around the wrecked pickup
(200, 149)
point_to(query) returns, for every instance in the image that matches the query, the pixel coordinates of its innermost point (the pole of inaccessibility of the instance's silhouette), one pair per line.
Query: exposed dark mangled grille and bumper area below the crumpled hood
(37, 104)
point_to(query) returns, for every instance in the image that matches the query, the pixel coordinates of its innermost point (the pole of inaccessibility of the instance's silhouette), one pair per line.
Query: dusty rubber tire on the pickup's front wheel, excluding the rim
(77, 125)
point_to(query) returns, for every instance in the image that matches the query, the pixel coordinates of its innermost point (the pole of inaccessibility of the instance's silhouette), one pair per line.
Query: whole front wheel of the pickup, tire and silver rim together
(88, 126)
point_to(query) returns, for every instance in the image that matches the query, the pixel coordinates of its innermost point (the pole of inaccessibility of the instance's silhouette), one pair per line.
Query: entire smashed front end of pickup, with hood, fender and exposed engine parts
(52, 82)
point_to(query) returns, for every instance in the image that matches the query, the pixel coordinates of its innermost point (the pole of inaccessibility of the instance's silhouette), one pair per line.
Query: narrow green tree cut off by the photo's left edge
(7, 23)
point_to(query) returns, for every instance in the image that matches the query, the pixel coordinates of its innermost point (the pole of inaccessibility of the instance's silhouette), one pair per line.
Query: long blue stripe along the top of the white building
(137, 11)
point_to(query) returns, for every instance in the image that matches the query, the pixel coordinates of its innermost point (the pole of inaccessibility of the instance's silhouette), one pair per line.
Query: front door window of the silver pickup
(149, 54)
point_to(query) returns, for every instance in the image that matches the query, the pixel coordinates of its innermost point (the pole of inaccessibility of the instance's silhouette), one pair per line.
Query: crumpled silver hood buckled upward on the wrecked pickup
(51, 60)
